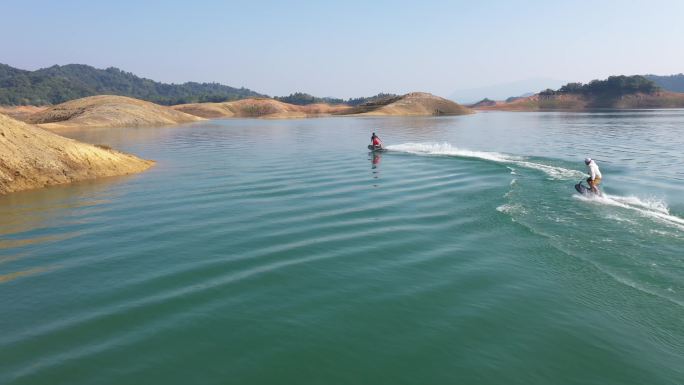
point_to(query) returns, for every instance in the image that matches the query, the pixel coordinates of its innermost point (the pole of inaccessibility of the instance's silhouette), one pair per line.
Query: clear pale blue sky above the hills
(349, 48)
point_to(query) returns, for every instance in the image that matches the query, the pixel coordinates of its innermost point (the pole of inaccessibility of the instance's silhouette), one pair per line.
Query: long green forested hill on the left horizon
(59, 84)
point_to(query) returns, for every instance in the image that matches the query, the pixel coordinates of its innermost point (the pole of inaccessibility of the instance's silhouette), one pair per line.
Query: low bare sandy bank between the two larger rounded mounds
(258, 108)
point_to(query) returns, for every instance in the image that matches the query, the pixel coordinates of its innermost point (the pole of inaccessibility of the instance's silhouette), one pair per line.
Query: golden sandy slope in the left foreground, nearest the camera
(31, 157)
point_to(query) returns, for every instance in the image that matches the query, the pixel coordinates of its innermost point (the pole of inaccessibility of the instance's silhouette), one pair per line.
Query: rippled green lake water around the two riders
(282, 252)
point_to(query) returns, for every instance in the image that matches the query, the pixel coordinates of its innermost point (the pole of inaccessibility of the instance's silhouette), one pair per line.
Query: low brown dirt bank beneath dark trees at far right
(575, 102)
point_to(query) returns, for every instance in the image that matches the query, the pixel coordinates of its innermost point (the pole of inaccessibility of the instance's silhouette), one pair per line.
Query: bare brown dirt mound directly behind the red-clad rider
(412, 104)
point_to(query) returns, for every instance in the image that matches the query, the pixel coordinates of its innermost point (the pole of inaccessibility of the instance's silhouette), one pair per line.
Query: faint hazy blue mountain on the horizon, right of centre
(504, 90)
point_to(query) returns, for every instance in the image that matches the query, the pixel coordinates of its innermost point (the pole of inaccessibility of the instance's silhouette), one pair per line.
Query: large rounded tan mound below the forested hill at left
(108, 111)
